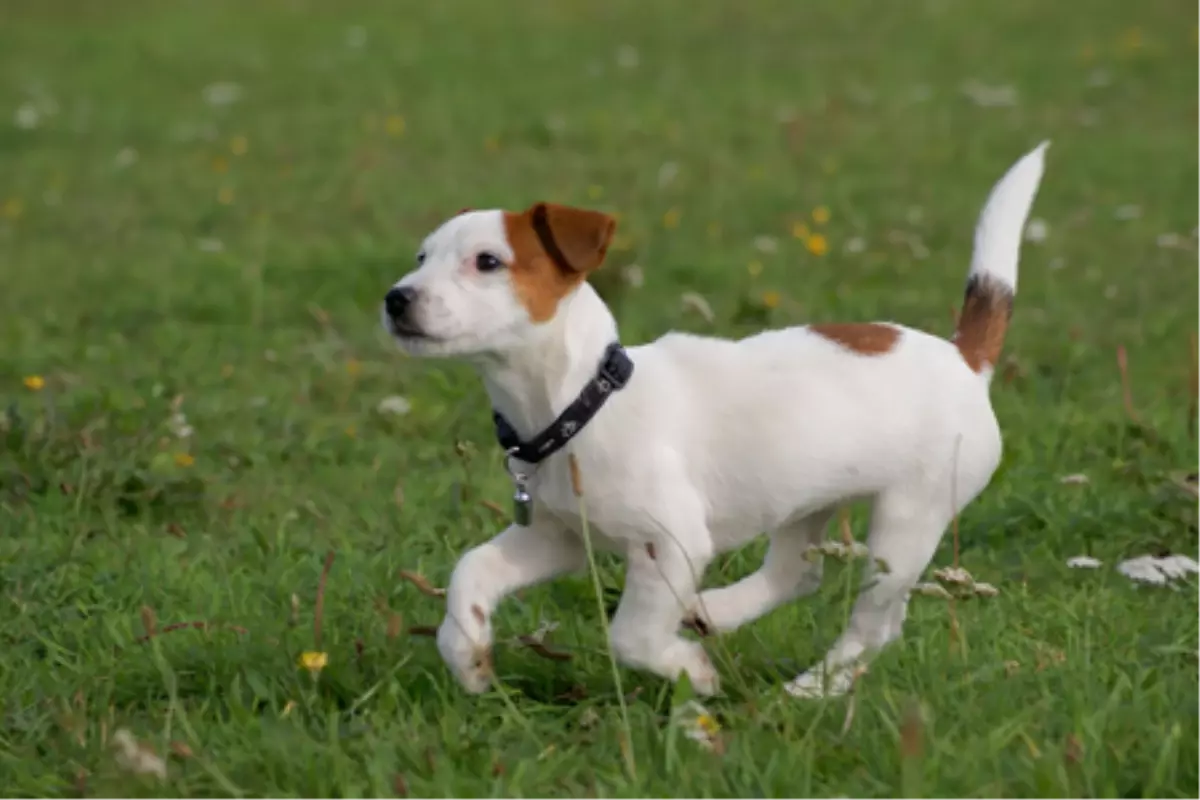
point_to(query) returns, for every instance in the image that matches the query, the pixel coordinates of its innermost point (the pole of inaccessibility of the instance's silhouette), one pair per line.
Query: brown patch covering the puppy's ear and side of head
(555, 249)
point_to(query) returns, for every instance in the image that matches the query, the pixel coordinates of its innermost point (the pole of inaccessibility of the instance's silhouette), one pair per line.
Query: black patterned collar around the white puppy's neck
(613, 375)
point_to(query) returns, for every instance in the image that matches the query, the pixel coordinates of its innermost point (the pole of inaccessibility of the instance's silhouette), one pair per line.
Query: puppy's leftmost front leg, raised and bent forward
(517, 558)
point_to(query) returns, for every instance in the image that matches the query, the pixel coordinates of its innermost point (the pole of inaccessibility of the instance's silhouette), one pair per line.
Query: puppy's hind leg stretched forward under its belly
(785, 575)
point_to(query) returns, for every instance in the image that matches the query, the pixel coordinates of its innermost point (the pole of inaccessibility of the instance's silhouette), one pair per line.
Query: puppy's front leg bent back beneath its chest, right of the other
(661, 586)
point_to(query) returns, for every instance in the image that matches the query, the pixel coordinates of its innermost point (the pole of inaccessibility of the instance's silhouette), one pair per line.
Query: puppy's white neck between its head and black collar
(533, 384)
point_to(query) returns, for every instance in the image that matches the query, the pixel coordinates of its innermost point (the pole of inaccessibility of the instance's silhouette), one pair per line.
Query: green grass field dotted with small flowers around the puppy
(163, 255)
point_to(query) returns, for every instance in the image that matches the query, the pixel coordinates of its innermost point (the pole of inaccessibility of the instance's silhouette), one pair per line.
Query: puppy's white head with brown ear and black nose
(485, 281)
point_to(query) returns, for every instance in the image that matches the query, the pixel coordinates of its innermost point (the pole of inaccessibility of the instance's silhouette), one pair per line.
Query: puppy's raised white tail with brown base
(992, 284)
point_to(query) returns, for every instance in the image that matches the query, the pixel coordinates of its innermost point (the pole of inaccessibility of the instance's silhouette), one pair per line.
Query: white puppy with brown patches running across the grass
(691, 446)
